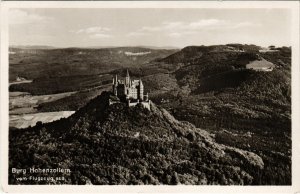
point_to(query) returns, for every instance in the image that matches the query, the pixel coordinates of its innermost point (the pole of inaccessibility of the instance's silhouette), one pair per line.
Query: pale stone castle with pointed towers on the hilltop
(130, 91)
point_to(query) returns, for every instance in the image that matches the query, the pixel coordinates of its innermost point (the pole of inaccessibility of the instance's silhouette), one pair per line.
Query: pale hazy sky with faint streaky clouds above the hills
(149, 27)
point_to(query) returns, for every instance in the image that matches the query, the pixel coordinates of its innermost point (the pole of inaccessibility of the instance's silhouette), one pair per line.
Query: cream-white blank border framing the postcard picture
(293, 6)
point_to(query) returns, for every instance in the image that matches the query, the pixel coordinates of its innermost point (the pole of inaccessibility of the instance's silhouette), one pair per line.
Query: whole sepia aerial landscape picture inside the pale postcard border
(150, 96)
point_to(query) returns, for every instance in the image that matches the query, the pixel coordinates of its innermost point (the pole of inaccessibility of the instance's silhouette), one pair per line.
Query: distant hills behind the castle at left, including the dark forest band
(77, 68)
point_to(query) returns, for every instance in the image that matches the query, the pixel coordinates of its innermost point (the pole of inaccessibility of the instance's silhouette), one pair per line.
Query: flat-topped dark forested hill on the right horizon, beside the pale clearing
(224, 64)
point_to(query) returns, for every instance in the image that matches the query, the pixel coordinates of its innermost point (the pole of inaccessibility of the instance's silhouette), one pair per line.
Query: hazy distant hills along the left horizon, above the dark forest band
(39, 63)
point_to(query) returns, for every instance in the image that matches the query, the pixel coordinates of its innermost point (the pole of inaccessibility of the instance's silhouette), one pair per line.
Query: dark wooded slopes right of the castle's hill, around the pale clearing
(247, 109)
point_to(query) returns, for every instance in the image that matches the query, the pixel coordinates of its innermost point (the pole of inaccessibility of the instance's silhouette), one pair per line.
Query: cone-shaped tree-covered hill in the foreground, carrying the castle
(115, 144)
